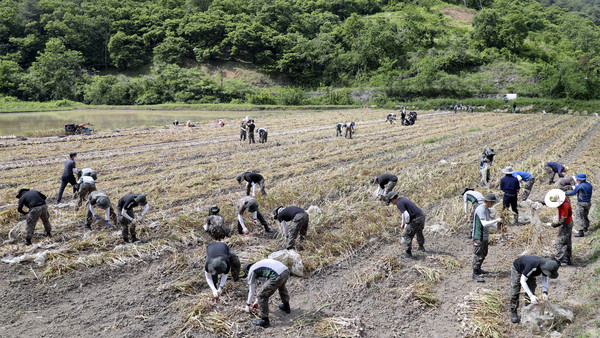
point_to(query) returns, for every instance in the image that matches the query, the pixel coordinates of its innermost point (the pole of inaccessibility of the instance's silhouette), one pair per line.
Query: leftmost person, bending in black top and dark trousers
(35, 201)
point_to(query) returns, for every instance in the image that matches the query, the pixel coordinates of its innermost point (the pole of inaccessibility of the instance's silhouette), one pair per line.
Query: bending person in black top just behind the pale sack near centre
(299, 219)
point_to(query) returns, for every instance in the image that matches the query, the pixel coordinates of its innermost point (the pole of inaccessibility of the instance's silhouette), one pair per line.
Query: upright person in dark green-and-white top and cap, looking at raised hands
(482, 222)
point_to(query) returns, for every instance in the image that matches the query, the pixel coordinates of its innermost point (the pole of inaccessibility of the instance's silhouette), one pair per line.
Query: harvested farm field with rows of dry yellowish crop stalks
(356, 282)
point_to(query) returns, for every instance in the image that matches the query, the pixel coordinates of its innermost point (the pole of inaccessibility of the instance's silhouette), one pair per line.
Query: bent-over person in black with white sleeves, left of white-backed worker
(219, 262)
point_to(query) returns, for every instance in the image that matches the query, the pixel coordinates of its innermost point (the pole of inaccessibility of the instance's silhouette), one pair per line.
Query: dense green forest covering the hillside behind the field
(138, 52)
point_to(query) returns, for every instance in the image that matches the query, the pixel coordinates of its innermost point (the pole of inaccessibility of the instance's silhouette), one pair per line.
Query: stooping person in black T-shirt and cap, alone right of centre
(414, 221)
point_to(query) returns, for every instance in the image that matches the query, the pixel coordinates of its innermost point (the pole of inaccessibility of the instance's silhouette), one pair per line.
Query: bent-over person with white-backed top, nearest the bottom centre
(275, 275)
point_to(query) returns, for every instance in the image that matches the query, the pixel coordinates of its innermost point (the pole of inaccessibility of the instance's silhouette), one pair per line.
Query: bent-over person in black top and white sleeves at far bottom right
(523, 274)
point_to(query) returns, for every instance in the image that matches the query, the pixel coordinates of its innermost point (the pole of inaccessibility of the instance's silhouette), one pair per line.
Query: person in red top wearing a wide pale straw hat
(556, 198)
